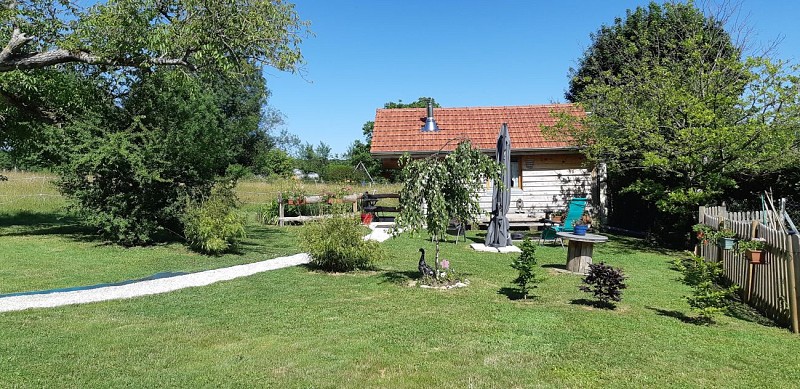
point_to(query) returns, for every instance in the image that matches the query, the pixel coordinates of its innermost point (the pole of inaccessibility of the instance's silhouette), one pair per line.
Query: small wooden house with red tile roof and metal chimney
(546, 172)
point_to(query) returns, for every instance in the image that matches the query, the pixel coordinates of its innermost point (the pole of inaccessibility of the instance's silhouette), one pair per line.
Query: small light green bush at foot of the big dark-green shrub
(213, 226)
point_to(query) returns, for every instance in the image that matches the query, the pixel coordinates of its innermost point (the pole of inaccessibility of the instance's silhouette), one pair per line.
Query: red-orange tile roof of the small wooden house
(398, 130)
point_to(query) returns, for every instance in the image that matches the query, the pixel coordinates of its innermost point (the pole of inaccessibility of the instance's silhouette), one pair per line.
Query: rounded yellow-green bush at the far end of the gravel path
(337, 244)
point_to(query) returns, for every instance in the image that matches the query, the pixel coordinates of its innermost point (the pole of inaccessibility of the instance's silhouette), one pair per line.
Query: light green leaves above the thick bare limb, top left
(144, 34)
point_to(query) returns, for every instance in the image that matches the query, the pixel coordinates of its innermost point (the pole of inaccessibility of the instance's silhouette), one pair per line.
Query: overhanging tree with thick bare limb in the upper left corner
(117, 38)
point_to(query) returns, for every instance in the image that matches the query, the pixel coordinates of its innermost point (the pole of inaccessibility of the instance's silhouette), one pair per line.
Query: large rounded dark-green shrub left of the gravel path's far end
(129, 176)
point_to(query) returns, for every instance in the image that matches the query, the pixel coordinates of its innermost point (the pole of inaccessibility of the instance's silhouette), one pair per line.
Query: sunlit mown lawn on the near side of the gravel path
(299, 328)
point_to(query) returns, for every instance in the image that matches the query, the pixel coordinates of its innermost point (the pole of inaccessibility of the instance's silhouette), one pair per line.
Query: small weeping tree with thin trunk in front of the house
(443, 187)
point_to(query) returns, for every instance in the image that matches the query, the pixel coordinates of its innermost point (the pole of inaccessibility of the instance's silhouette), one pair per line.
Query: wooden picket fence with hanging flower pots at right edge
(770, 287)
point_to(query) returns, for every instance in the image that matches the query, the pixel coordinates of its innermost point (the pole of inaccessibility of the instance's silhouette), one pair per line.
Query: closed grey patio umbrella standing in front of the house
(498, 235)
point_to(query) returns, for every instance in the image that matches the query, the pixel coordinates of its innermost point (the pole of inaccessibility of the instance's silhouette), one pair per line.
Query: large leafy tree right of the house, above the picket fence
(676, 112)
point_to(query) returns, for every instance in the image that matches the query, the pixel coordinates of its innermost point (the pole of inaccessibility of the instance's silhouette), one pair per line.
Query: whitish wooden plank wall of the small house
(548, 183)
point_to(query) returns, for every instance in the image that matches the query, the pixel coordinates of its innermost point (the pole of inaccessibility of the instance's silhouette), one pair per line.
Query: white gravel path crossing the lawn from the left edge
(144, 288)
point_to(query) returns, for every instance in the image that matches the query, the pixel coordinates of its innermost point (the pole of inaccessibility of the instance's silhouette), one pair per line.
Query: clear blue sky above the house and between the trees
(461, 52)
